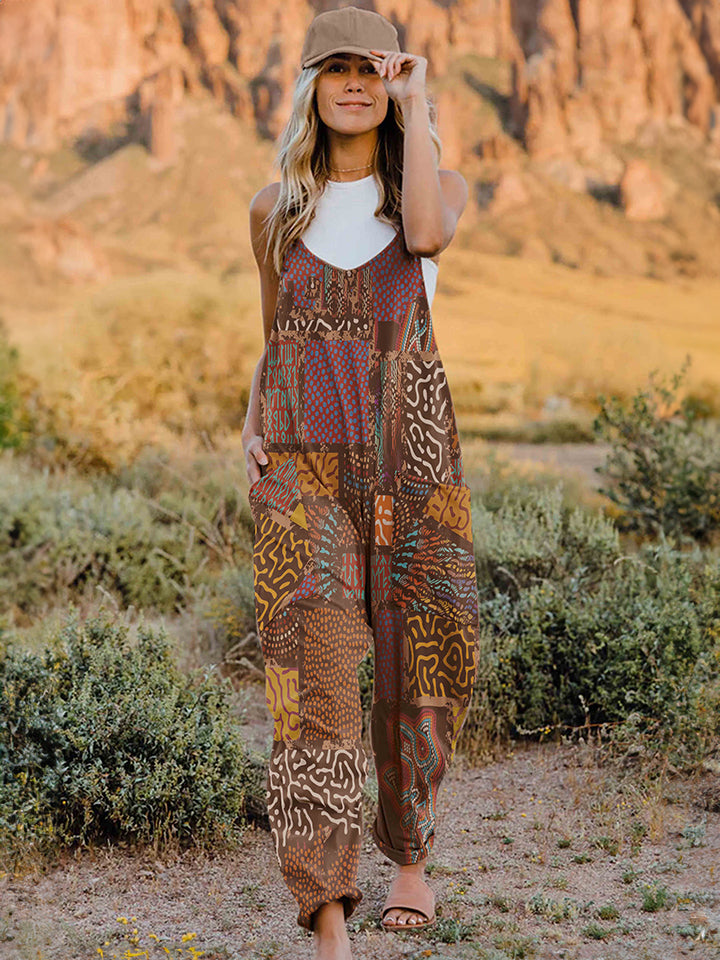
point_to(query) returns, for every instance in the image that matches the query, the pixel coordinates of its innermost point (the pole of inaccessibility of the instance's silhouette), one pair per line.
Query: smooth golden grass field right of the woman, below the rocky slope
(519, 332)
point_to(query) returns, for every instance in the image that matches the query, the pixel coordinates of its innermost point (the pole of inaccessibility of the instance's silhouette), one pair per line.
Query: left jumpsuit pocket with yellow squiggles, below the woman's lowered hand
(281, 548)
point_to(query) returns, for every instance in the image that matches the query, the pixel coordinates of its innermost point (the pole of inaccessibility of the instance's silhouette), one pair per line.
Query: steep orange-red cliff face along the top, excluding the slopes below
(584, 72)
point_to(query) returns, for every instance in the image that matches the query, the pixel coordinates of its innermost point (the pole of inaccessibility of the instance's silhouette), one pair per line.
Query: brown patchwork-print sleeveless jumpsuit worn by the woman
(362, 535)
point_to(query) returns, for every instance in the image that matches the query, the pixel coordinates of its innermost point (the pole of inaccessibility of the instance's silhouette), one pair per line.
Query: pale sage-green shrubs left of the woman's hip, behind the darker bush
(63, 535)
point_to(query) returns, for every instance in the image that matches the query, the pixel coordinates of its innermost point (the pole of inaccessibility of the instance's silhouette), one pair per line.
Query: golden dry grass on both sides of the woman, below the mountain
(149, 358)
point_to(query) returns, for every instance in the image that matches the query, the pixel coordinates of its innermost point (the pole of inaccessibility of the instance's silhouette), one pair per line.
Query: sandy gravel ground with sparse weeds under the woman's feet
(527, 851)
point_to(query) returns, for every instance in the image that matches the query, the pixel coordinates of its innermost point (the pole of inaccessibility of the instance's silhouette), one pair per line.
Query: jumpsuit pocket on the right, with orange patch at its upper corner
(433, 560)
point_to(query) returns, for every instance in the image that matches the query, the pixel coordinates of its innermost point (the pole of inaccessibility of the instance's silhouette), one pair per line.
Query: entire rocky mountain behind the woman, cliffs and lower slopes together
(587, 129)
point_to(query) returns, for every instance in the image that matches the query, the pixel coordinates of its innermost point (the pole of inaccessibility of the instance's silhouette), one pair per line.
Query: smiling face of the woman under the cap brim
(351, 95)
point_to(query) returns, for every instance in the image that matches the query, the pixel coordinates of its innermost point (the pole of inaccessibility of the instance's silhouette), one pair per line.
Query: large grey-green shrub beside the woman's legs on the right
(575, 633)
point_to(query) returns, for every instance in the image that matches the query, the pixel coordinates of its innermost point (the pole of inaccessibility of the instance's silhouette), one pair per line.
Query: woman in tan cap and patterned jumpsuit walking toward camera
(362, 513)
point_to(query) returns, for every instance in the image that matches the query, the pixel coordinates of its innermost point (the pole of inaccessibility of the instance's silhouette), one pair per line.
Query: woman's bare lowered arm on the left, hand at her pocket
(260, 206)
